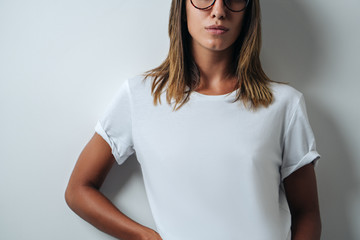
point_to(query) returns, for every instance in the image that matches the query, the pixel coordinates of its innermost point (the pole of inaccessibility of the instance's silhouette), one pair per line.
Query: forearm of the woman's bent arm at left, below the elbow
(95, 208)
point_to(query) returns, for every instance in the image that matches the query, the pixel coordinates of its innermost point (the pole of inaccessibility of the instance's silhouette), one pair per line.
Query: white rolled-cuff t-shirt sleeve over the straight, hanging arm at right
(299, 147)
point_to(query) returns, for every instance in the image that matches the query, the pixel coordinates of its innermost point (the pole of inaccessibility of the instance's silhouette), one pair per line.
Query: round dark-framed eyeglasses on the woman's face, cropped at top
(232, 5)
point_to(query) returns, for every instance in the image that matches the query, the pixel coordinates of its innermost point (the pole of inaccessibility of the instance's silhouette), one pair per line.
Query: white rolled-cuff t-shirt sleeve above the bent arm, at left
(115, 124)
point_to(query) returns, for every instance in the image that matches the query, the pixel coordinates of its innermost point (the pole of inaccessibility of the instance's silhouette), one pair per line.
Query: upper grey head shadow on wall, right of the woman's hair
(290, 45)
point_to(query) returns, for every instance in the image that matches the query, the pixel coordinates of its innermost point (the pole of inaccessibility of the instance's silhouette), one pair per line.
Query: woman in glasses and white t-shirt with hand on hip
(228, 153)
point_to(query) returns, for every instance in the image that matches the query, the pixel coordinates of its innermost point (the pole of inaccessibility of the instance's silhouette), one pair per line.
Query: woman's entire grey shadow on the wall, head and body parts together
(290, 53)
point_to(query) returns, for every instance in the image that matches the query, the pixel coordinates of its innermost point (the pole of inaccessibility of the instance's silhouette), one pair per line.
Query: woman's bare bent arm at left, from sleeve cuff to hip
(83, 196)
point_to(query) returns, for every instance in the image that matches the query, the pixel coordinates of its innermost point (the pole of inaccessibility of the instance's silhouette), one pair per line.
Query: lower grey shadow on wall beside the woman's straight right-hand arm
(335, 176)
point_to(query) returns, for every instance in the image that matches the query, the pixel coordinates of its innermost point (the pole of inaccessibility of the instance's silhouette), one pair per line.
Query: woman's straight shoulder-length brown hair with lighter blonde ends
(179, 74)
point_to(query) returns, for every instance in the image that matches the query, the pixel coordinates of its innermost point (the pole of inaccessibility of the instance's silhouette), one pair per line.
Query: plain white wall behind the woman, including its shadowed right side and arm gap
(62, 61)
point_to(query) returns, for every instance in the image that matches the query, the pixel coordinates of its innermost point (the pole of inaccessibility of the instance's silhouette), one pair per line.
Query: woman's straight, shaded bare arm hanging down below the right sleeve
(301, 192)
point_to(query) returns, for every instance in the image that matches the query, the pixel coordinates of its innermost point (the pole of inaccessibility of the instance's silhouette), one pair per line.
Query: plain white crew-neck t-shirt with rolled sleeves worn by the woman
(213, 169)
